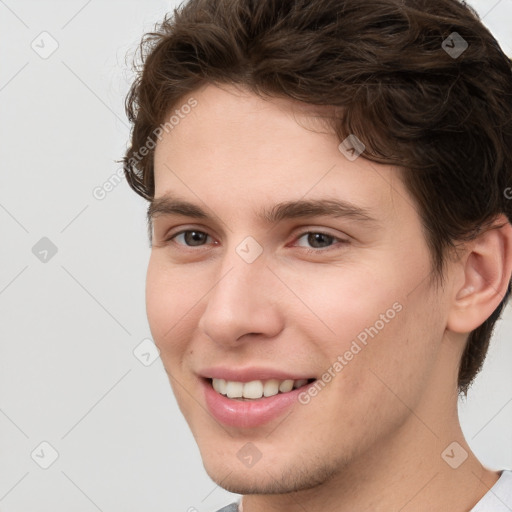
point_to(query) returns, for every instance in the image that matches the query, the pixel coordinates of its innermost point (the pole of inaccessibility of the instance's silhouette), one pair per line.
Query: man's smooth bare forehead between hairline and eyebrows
(240, 150)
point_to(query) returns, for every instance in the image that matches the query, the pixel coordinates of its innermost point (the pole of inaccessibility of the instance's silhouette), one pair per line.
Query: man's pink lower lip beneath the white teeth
(248, 413)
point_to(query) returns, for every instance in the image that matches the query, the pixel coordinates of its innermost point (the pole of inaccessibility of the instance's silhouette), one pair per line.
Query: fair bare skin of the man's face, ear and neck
(372, 439)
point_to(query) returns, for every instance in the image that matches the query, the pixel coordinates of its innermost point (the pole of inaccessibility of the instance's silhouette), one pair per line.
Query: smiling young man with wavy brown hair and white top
(331, 244)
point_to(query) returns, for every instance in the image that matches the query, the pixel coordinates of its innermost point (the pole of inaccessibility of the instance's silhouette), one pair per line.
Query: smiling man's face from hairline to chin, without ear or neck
(276, 258)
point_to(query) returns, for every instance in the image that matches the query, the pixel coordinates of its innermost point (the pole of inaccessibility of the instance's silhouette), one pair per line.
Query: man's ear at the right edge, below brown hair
(486, 272)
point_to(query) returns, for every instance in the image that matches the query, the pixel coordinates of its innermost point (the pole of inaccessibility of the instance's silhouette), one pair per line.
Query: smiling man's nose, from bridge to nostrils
(243, 303)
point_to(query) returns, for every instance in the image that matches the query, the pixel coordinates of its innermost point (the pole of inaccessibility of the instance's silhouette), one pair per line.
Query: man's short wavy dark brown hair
(444, 117)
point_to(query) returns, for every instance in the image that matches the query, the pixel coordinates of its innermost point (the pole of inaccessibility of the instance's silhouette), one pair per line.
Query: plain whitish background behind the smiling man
(68, 327)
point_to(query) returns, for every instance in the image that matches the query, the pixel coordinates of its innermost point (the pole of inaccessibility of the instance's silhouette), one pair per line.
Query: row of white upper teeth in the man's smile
(255, 388)
